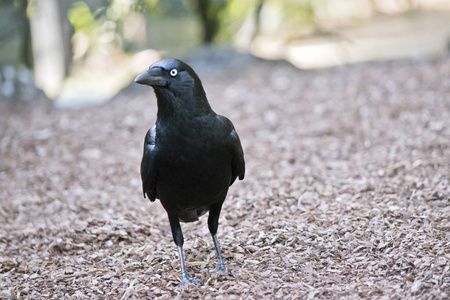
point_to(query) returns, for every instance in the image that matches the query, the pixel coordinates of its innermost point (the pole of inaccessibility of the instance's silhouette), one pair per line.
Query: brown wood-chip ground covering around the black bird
(346, 193)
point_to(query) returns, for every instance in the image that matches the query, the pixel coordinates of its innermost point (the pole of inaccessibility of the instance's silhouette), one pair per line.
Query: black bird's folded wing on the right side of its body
(237, 162)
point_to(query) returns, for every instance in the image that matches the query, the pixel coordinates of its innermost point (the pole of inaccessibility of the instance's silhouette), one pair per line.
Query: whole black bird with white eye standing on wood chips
(191, 155)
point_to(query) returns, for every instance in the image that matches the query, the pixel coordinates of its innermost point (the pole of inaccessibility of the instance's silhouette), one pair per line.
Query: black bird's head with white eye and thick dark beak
(172, 77)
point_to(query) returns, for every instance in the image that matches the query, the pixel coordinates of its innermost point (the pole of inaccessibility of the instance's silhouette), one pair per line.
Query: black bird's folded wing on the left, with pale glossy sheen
(148, 168)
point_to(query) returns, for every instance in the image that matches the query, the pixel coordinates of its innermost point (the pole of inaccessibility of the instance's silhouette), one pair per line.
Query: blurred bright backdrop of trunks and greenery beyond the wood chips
(84, 52)
